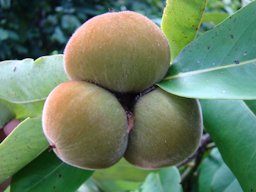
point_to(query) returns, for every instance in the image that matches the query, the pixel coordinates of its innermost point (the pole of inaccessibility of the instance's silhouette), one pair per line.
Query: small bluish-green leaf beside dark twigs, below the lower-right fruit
(207, 169)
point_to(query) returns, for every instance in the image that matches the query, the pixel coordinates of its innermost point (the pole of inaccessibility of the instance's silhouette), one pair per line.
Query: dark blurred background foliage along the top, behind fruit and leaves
(32, 28)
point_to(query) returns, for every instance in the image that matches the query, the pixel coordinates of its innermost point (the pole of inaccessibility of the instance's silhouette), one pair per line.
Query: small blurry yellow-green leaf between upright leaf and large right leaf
(214, 17)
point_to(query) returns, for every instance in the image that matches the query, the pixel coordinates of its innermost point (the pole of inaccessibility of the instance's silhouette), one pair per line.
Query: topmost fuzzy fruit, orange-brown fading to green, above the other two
(121, 51)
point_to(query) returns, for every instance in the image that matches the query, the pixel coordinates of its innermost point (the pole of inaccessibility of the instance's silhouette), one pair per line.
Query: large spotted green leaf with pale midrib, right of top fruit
(220, 64)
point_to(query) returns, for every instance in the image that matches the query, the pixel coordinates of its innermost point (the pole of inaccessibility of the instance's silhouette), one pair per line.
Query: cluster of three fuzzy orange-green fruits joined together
(110, 107)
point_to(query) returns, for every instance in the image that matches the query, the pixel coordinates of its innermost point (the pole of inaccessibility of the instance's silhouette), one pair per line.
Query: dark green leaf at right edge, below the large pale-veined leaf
(232, 126)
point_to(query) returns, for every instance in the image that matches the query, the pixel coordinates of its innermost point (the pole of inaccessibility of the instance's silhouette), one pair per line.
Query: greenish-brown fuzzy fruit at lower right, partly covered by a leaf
(167, 130)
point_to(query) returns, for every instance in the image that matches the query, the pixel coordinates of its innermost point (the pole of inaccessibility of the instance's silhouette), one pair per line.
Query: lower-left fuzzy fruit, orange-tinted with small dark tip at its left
(85, 125)
